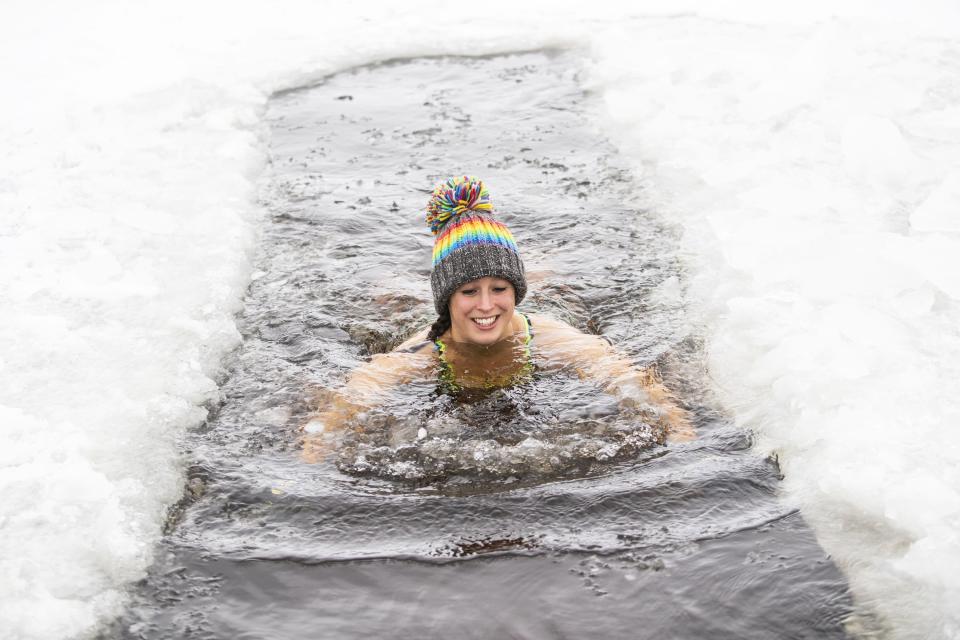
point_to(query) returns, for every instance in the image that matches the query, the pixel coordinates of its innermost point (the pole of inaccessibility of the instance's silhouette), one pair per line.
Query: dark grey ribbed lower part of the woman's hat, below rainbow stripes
(474, 261)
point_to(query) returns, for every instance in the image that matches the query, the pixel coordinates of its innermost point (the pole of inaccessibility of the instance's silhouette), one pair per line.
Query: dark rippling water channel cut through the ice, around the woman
(551, 513)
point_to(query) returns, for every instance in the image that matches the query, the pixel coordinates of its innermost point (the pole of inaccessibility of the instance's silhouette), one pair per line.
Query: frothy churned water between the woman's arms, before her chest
(512, 433)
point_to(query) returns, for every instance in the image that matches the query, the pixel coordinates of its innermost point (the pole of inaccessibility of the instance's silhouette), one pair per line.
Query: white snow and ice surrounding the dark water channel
(810, 156)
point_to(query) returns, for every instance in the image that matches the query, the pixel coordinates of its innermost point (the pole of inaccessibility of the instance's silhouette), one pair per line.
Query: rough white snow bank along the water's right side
(814, 170)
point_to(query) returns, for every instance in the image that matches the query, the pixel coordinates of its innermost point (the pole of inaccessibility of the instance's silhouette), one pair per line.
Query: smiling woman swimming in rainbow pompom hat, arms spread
(480, 340)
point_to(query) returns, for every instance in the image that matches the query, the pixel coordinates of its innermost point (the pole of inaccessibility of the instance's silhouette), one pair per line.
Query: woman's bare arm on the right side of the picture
(594, 359)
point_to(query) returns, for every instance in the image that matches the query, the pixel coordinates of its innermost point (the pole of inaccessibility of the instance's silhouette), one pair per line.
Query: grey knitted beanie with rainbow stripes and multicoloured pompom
(470, 243)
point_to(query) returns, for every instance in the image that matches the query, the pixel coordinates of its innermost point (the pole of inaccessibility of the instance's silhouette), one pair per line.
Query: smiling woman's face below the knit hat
(481, 311)
